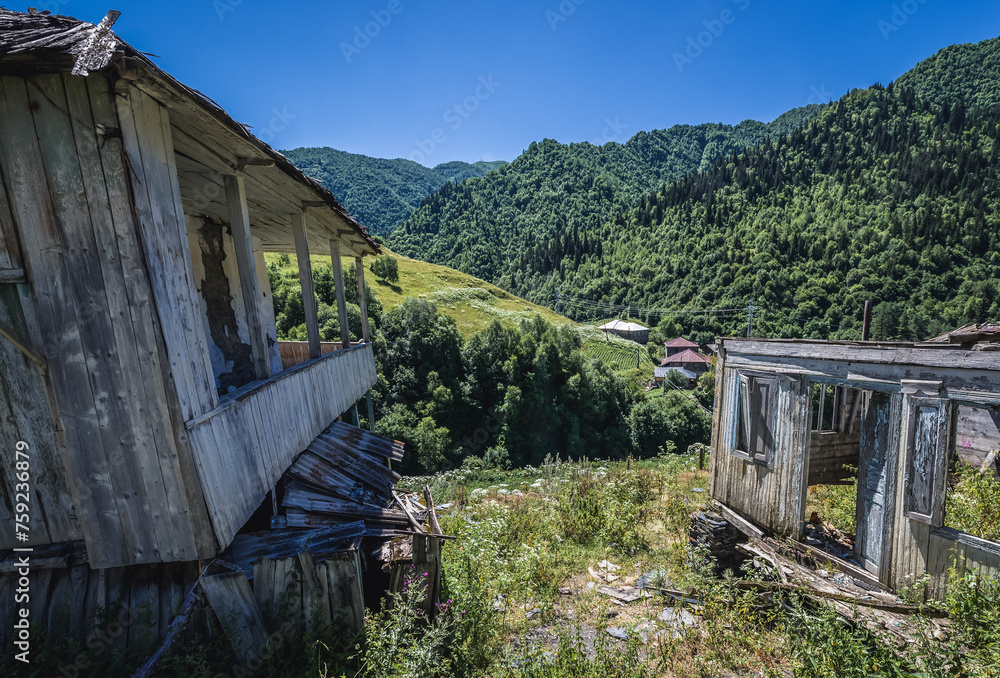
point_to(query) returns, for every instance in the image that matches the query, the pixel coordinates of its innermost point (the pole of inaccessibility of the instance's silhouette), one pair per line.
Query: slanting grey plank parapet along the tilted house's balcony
(244, 446)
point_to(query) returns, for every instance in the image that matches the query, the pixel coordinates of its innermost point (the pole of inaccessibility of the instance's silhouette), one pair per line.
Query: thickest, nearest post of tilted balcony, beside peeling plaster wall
(239, 222)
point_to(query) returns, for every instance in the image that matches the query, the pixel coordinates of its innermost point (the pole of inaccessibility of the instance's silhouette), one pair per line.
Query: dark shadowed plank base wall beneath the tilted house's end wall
(116, 608)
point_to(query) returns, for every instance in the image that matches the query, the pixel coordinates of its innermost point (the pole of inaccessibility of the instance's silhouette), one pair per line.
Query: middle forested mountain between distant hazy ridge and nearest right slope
(483, 225)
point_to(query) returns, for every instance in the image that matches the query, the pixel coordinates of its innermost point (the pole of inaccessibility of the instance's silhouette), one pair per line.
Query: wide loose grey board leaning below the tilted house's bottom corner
(230, 597)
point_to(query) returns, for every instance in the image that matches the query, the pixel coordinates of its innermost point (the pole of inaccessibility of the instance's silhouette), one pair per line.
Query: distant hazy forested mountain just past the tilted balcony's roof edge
(381, 193)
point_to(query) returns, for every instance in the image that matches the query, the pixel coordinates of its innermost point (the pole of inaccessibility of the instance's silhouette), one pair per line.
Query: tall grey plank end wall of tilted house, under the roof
(131, 481)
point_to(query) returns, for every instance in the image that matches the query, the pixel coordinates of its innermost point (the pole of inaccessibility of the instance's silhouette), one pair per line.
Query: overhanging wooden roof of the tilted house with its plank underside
(208, 142)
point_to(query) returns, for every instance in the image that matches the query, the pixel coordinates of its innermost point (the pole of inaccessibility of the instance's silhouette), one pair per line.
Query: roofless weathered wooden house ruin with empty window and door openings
(902, 418)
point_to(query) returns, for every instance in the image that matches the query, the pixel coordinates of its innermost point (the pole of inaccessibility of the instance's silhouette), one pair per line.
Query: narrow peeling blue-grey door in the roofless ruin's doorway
(873, 481)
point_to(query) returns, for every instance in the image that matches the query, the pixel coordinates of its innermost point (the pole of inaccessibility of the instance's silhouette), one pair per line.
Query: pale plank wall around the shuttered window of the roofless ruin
(770, 495)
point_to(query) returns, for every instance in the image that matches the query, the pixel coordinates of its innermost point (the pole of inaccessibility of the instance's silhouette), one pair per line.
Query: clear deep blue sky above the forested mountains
(571, 70)
